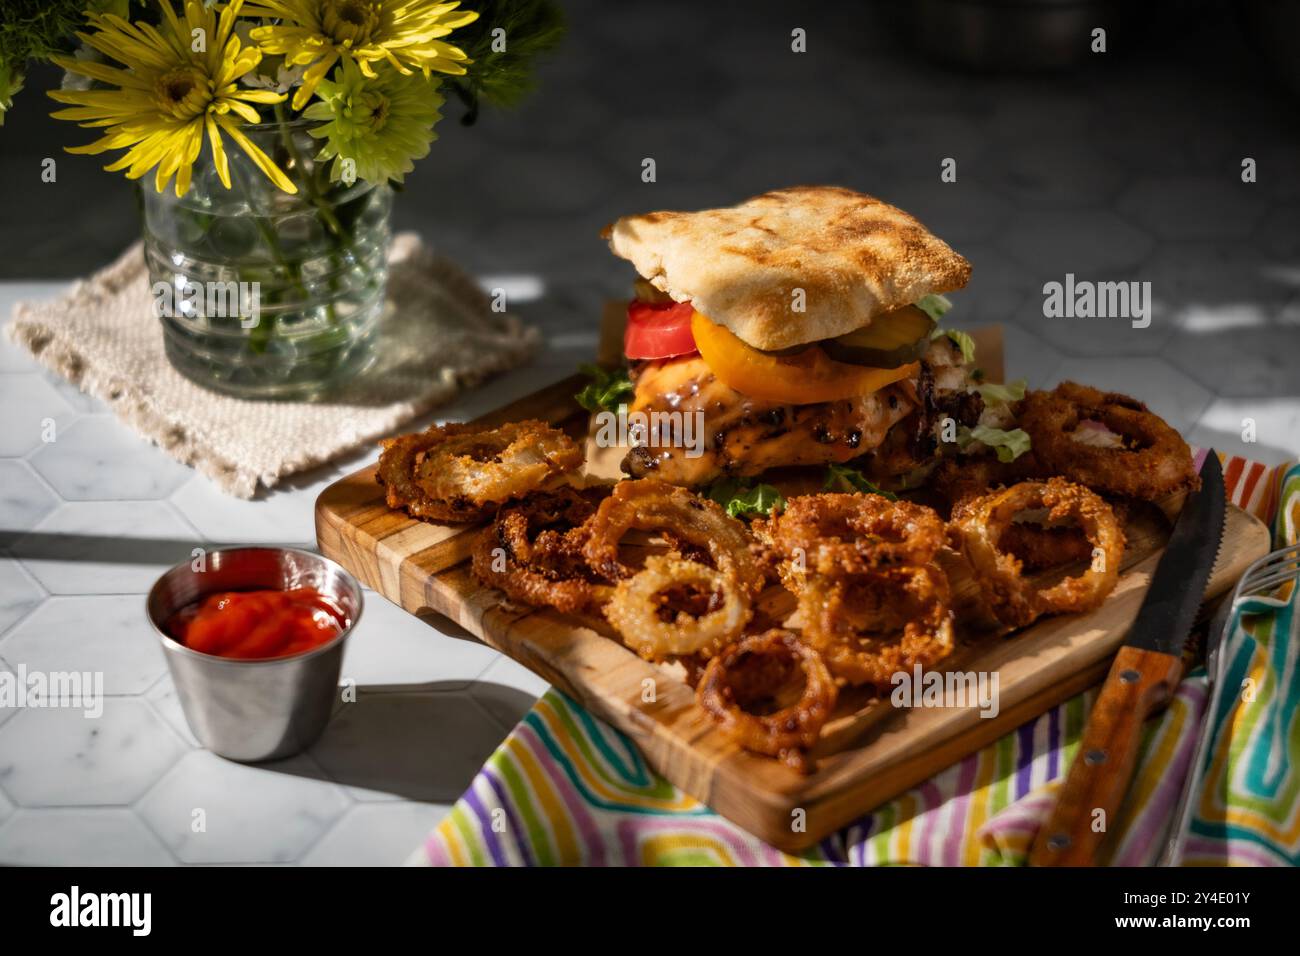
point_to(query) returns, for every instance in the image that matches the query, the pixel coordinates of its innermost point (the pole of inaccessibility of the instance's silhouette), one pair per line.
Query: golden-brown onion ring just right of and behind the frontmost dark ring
(870, 626)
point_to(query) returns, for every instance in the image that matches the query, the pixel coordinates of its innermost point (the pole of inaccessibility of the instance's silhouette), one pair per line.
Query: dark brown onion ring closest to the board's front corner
(753, 672)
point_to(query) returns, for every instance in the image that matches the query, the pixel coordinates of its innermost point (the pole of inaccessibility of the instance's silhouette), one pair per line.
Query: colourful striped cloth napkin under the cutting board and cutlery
(566, 789)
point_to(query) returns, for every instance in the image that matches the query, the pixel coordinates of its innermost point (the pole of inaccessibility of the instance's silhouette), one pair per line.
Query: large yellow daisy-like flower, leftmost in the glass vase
(170, 94)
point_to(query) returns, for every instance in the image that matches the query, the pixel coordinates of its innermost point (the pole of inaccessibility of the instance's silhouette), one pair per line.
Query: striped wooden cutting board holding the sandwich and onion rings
(869, 752)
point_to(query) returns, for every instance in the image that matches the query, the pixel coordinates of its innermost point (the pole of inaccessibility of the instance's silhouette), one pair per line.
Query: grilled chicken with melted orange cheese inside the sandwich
(747, 436)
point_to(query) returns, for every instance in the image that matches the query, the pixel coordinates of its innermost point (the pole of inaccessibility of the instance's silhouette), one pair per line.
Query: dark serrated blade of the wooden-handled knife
(1178, 586)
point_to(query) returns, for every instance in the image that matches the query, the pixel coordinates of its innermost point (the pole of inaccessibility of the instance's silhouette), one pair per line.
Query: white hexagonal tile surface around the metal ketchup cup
(88, 522)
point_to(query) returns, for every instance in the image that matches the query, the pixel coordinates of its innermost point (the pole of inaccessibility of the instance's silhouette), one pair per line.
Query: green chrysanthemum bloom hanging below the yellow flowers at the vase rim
(375, 128)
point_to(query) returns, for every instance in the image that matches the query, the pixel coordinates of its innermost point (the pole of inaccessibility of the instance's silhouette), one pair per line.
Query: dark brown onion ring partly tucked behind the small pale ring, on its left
(534, 552)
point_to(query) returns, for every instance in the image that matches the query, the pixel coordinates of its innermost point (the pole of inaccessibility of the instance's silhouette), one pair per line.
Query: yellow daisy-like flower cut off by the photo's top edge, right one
(402, 33)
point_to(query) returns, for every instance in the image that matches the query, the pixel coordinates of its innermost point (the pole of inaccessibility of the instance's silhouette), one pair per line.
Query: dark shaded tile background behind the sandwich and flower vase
(1116, 166)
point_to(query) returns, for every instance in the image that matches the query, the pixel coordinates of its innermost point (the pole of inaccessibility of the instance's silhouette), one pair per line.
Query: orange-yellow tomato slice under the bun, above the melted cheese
(800, 379)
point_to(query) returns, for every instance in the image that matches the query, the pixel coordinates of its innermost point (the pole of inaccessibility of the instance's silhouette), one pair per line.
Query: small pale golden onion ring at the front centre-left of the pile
(643, 612)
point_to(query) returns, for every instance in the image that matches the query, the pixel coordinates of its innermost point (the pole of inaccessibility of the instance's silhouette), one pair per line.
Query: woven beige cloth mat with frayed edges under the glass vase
(440, 339)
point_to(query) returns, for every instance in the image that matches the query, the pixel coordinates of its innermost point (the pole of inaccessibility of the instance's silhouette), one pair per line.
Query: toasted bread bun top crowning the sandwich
(853, 256)
